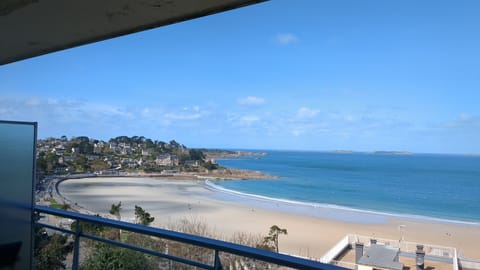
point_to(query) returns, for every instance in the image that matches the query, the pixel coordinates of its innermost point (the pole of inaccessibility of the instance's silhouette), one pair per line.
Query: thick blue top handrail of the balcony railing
(218, 245)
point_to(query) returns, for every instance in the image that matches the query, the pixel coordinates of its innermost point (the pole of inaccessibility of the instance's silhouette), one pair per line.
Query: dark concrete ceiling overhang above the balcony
(29, 28)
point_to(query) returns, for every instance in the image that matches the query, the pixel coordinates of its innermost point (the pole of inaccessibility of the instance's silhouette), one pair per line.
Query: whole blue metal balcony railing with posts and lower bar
(216, 245)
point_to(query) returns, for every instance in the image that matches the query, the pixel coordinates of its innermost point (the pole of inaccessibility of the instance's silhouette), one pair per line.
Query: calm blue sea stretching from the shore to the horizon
(437, 186)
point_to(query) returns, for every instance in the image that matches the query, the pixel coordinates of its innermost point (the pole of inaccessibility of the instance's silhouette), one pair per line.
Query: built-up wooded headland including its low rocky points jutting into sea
(135, 156)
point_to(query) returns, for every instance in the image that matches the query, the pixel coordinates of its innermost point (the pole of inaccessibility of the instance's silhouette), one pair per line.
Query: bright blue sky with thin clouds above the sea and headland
(305, 75)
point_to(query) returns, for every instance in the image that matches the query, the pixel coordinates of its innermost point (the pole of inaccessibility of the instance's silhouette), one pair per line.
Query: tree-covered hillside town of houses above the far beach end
(83, 154)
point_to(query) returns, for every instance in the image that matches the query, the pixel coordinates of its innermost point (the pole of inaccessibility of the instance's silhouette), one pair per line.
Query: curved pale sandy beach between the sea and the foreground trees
(311, 231)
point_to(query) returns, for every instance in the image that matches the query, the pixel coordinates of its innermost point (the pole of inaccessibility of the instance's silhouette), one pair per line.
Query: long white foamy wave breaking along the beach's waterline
(210, 185)
